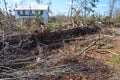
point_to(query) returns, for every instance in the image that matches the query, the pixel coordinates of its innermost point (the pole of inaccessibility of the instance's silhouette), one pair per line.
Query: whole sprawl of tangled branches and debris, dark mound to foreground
(35, 56)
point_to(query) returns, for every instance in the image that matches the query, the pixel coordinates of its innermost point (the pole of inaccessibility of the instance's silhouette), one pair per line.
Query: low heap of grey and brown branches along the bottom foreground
(87, 68)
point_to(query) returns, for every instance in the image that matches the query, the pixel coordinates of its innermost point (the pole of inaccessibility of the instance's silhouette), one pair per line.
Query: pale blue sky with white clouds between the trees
(59, 6)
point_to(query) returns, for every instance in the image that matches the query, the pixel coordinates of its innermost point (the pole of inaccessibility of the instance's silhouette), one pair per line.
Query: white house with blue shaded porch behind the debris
(29, 11)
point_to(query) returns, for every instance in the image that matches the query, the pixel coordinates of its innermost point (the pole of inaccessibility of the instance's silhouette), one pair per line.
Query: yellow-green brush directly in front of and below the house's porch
(30, 23)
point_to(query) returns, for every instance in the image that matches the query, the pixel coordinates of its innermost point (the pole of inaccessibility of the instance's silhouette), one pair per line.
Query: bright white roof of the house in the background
(33, 7)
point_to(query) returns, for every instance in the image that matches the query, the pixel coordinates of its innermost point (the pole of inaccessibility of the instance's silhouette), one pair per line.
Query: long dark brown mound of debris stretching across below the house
(46, 37)
